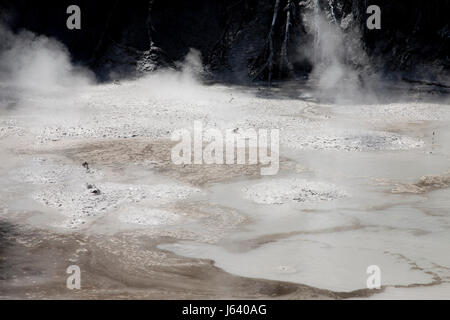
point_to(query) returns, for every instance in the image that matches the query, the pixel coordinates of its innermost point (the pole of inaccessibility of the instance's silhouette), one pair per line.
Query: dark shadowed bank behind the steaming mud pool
(249, 39)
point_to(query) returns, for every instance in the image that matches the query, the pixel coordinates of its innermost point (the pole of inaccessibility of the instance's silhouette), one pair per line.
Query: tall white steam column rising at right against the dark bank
(340, 65)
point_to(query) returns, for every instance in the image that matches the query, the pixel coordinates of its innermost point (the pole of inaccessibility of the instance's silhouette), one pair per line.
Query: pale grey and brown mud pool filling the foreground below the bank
(87, 180)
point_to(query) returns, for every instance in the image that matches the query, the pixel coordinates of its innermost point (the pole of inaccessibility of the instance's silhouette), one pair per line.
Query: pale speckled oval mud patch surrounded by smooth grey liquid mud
(282, 191)
